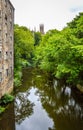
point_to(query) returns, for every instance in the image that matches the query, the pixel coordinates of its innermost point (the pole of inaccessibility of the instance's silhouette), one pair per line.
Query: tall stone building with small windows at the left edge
(6, 46)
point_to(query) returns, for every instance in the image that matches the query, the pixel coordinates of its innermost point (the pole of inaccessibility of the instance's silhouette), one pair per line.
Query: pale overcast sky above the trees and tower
(54, 14)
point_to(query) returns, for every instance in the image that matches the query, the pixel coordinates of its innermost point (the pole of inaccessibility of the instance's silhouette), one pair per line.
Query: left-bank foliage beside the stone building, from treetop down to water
(23, 51)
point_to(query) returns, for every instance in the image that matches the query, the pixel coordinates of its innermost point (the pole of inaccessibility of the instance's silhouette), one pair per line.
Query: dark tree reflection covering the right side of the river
(60, 105)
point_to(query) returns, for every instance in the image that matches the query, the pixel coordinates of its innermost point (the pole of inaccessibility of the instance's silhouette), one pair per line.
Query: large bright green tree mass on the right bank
(61, 52)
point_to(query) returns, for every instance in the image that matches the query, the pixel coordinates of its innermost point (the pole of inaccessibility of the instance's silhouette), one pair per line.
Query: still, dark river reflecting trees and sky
(43, 104)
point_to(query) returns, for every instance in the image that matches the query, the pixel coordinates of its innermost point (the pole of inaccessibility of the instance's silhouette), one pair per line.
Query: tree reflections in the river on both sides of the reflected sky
(59, 102)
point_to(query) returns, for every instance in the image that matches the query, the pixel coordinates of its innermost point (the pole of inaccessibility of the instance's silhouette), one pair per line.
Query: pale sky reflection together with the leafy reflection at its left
(35, 116)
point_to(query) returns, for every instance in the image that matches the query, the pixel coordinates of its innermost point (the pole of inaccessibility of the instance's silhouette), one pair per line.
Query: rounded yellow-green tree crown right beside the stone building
(24, 43)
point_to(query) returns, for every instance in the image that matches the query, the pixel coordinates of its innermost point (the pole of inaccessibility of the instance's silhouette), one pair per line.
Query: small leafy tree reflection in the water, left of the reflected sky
(23, 107)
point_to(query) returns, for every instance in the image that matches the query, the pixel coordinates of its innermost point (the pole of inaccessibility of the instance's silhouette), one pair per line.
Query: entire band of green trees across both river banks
(57, 52)
